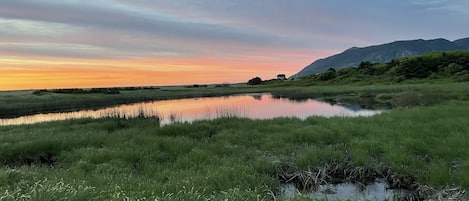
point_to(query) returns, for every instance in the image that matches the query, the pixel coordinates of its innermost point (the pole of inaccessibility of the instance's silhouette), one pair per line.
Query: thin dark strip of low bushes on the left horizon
(113, 90)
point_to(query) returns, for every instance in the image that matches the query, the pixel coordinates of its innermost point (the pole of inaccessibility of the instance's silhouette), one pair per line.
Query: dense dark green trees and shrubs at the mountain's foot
(436, 65)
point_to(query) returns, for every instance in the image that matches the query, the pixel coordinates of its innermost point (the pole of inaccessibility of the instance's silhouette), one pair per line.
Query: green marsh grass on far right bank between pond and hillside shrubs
(379, 96)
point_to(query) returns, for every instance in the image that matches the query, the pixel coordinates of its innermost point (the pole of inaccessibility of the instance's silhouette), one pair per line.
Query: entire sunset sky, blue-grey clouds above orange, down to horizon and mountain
(105, 43)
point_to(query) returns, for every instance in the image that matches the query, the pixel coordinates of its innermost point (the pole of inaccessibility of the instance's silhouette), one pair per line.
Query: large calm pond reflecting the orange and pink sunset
(255, 106)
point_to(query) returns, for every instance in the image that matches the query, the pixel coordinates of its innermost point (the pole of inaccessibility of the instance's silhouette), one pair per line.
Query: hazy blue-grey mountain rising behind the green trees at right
(382, 53)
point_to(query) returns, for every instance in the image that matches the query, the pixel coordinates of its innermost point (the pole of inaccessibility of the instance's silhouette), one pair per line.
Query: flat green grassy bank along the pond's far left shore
(17, 103)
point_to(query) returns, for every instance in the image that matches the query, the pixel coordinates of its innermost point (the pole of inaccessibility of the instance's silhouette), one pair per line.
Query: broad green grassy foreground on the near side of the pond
(111, 159)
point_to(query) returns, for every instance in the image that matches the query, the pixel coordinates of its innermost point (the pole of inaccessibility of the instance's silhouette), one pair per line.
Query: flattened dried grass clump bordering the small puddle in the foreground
(335, 172)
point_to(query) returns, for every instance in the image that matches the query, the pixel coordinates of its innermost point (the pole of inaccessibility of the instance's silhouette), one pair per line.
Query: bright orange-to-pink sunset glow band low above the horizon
(20, 73)
